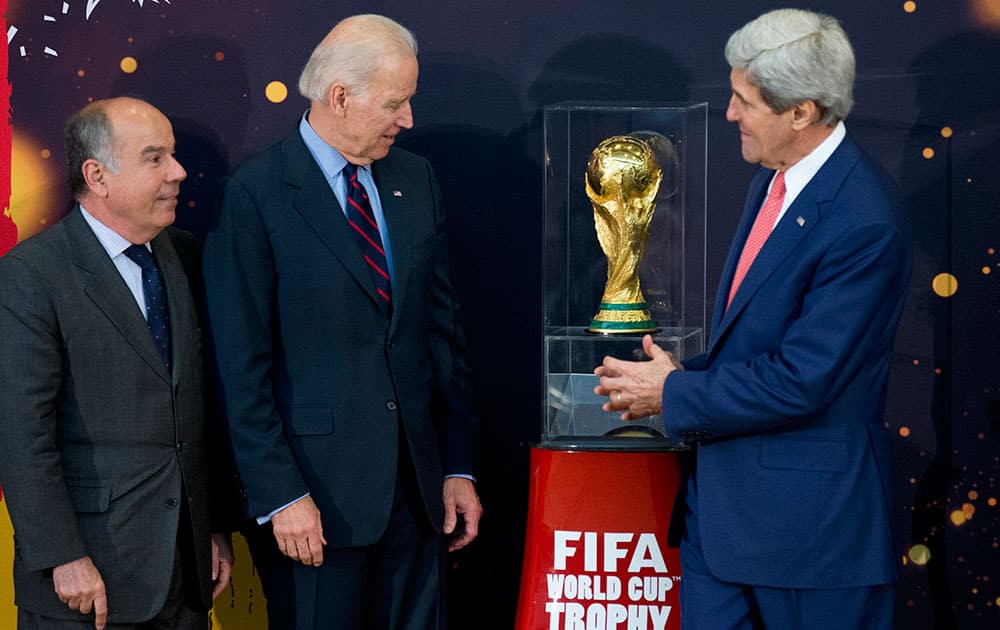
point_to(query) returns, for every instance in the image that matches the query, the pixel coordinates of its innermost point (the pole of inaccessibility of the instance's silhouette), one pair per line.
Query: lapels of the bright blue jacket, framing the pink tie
(801, 218)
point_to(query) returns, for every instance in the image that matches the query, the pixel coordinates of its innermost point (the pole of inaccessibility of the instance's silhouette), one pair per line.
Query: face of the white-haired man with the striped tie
(371, 120)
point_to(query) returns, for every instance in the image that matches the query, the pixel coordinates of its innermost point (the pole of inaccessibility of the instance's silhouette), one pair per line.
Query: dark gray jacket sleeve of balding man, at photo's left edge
(47, 533)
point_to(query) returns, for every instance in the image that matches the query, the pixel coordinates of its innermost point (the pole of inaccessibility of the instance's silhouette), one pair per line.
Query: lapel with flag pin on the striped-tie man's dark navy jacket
(396, 209)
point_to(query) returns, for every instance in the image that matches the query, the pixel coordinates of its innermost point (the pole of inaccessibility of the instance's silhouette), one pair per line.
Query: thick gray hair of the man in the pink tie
(794, 56)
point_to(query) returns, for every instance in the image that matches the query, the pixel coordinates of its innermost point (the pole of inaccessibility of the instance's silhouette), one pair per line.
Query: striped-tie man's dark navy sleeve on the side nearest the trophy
(453, 403)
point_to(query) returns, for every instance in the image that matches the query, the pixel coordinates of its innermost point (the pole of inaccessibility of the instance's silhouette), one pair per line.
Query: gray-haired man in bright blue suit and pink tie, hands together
(787, 506)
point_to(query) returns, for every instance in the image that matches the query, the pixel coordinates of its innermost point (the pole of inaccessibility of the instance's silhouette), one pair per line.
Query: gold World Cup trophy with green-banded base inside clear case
(623, 178)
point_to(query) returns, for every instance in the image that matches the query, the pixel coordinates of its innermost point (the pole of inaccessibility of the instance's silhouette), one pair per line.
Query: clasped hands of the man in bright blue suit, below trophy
(636, 387)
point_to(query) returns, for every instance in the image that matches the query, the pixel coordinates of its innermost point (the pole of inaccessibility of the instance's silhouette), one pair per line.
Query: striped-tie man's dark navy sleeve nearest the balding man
(238, 268)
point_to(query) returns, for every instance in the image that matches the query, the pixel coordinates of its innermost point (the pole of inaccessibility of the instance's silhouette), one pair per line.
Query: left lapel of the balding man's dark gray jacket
(104, 286)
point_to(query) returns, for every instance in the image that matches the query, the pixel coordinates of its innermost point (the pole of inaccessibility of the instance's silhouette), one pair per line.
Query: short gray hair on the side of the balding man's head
(89, 136)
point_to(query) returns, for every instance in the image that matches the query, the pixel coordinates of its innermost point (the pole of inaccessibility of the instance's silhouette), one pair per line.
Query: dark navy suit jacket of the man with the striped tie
(320, 388)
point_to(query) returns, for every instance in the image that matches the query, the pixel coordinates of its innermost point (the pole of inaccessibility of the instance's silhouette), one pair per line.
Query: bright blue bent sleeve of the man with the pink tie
(845, 320)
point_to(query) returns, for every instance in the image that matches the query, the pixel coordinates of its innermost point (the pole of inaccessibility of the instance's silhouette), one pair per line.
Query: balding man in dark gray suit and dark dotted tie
(104, 446)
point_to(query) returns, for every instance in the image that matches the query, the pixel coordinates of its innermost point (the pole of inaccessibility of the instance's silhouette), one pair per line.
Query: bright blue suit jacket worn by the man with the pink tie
(793, 471)
